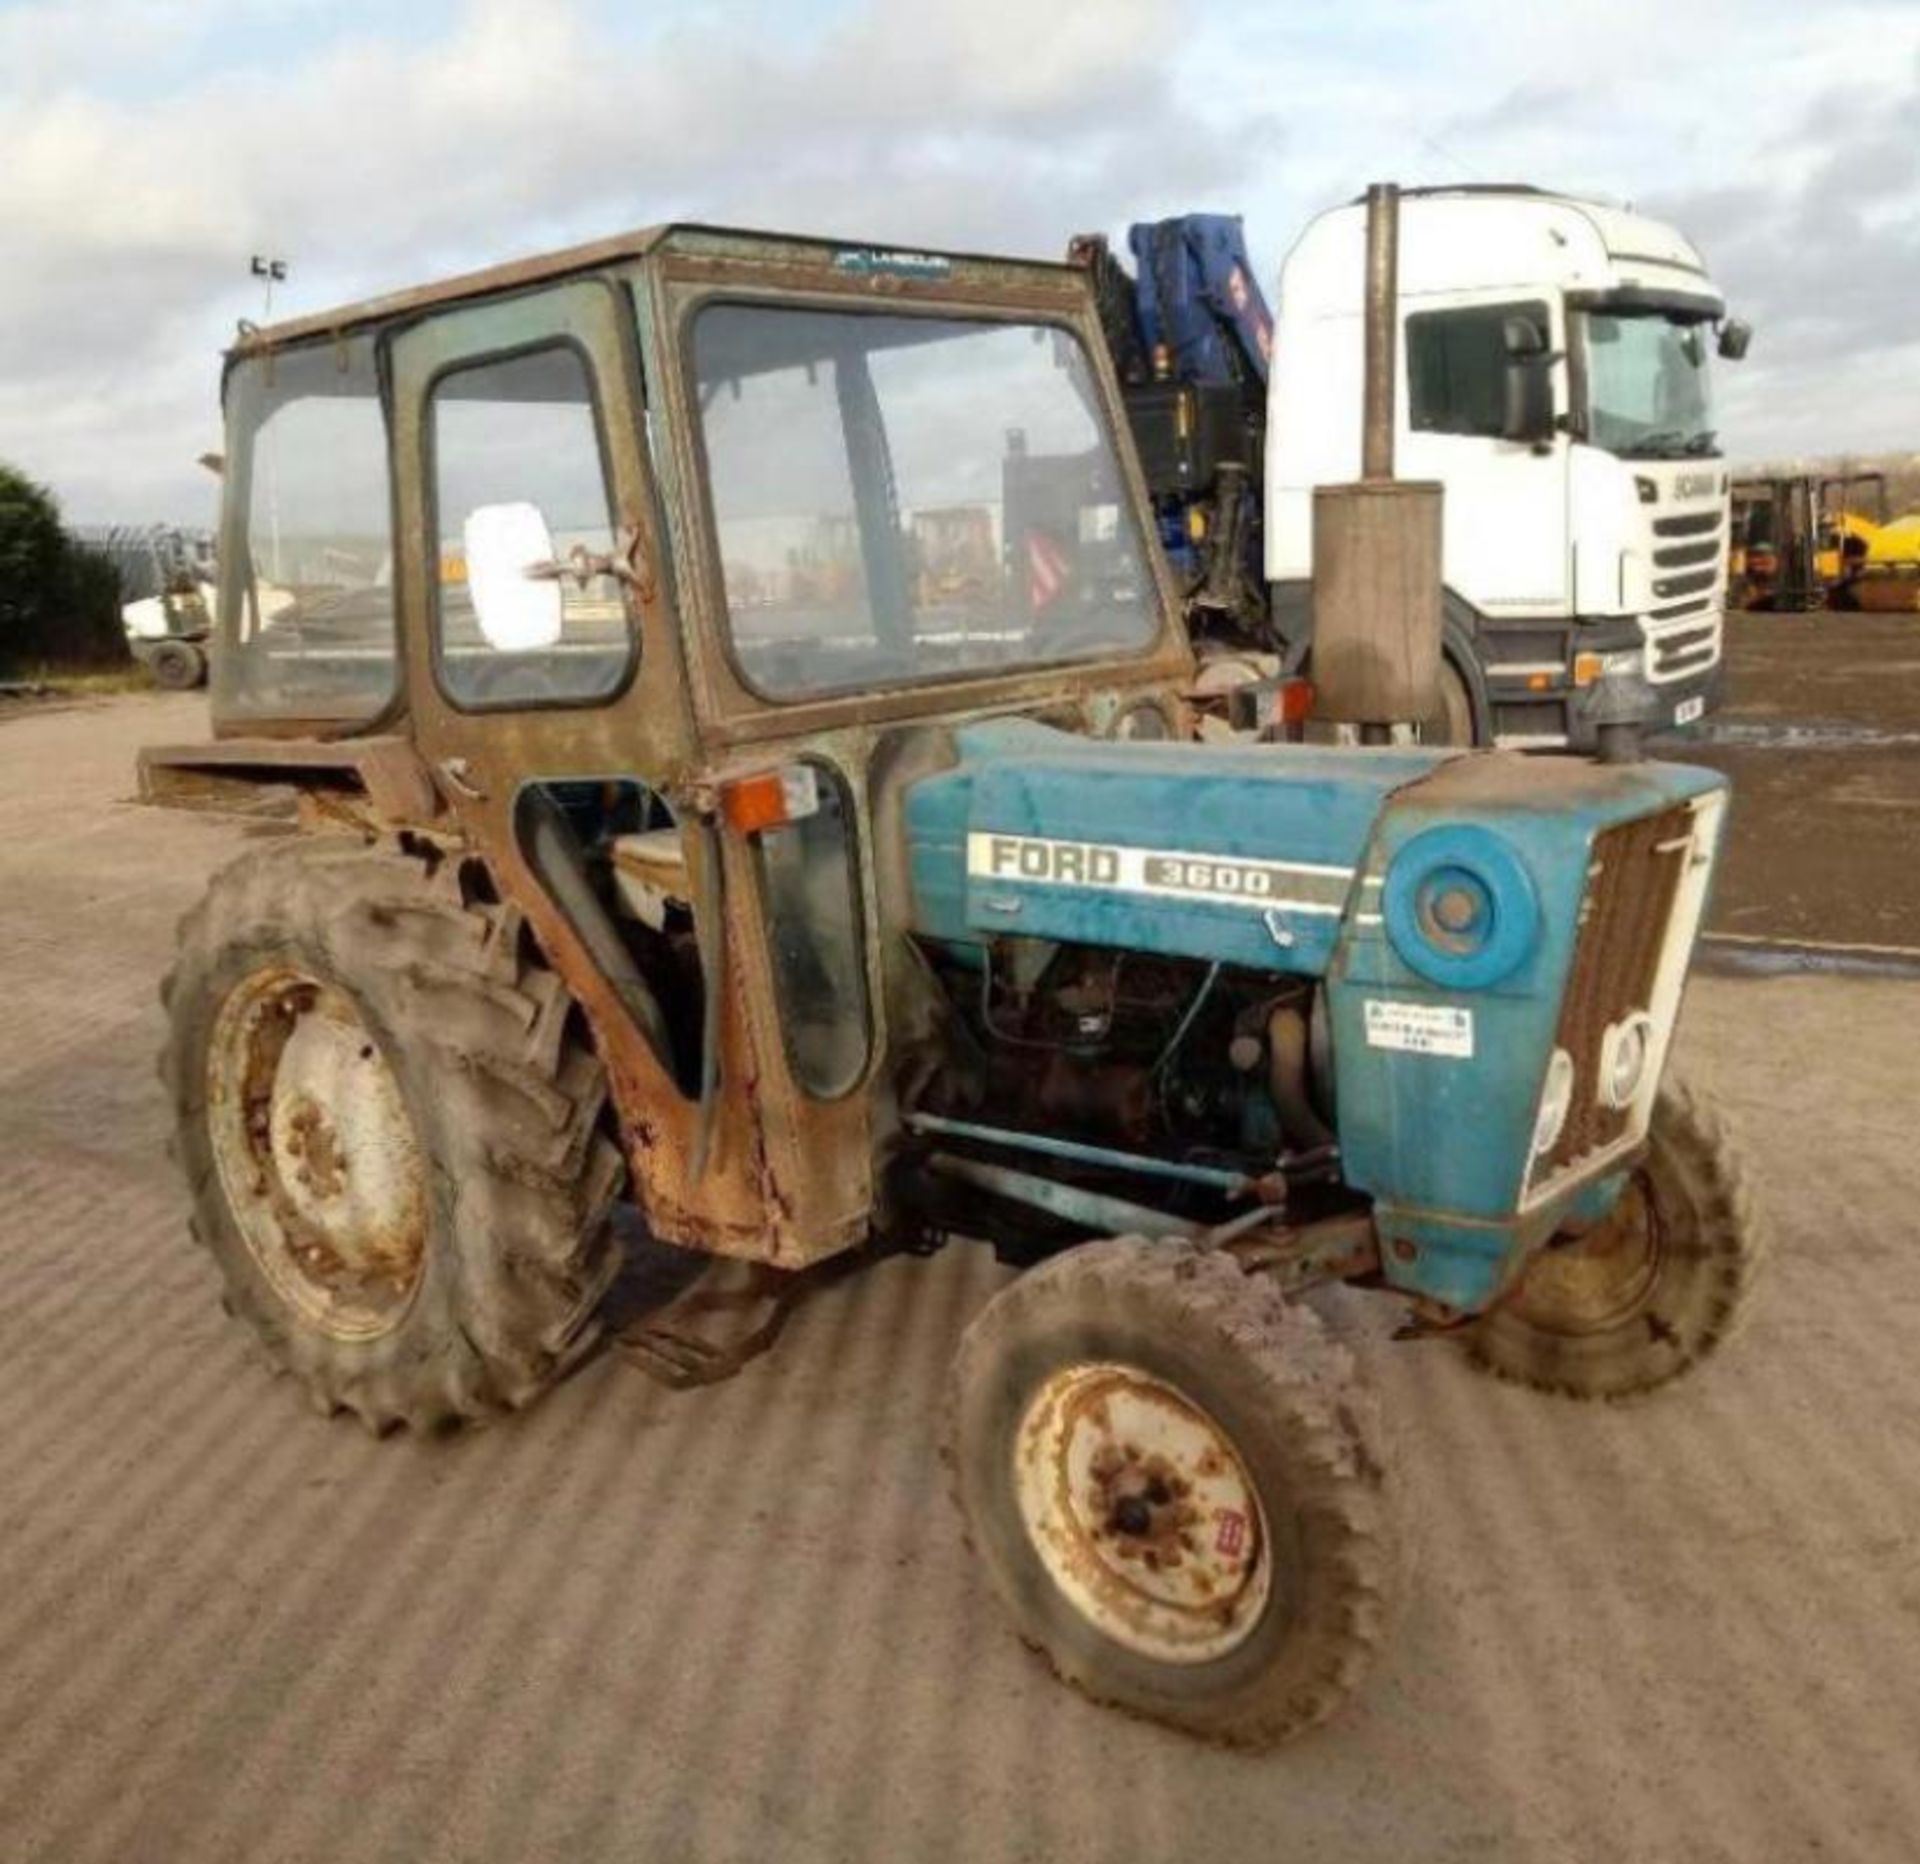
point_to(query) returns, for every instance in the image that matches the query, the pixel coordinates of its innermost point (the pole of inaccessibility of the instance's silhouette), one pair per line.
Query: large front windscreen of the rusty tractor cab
(911, 498)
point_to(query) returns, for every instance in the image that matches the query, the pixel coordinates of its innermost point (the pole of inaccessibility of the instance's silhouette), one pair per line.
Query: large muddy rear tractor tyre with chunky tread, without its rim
(523, 1168)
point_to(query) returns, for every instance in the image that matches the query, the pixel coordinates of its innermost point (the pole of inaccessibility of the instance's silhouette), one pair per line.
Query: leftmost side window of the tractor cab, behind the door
(308, 586)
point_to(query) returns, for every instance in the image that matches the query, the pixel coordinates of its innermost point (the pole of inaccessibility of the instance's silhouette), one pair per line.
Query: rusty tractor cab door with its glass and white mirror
(550, 700)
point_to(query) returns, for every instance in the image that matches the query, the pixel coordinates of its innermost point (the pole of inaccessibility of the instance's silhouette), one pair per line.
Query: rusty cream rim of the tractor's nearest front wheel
(1143, 1516)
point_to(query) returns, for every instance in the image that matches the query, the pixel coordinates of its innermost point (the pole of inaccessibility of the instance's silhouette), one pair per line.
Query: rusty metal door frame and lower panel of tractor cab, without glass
(761, 1174)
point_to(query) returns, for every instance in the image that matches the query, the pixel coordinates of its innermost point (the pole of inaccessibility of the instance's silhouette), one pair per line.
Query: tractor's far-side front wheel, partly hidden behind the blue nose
(1654, 1289)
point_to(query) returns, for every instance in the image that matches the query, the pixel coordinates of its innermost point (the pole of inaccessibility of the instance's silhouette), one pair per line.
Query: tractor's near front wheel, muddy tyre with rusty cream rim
(1180, 1489)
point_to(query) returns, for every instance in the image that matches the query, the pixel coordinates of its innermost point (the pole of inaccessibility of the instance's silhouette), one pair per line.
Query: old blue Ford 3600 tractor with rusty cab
(694, 865)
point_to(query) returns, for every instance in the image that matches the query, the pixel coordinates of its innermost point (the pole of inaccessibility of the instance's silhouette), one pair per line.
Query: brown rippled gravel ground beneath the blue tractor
(740, 1623)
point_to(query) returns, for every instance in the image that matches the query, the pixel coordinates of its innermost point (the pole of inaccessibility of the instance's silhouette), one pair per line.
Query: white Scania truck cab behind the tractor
(1556, 377)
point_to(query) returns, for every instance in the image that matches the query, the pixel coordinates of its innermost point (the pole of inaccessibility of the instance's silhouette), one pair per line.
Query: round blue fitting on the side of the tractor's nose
(1460, 907)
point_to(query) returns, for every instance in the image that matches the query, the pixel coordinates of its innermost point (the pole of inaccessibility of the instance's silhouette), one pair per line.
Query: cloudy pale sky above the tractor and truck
(153, 145)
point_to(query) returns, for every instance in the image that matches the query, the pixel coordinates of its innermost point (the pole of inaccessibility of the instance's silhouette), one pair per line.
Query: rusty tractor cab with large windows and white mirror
(621, 565)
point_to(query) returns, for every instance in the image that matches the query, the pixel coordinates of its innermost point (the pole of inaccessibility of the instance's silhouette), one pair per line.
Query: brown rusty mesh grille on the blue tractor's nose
(1625, 917)
